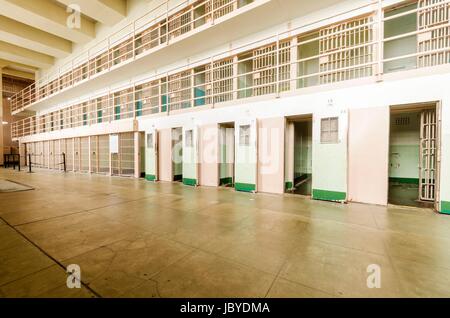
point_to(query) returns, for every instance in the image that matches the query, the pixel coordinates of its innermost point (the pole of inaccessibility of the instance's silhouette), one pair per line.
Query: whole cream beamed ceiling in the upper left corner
(33, 34)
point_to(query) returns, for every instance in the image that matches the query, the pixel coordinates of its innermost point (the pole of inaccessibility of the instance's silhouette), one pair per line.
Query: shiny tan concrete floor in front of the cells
(134, 238)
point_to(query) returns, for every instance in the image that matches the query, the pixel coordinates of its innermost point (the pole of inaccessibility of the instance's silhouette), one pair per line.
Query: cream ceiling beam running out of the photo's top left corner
(48, 16)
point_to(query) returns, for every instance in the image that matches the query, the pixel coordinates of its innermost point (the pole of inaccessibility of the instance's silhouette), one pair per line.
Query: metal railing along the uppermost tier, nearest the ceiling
(144, 34)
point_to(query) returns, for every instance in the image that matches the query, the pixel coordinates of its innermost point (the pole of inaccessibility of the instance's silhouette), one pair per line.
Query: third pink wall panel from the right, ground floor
(208, 150)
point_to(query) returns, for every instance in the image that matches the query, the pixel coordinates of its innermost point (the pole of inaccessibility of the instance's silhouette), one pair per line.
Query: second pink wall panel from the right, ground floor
(271, 155)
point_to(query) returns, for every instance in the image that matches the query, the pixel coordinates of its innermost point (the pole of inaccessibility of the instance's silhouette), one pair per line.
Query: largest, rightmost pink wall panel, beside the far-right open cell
(369, 155)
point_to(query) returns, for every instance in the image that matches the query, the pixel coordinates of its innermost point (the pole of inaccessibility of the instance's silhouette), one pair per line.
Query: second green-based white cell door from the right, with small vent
(246, 155)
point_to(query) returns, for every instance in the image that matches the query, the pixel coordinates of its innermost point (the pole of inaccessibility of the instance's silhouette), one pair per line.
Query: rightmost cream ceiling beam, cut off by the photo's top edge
(108, 12)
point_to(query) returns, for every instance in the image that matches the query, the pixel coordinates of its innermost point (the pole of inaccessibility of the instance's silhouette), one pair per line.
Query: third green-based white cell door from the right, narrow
(190, 155)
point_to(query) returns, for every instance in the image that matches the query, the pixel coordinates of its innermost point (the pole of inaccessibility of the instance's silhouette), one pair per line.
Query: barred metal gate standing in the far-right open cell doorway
(428, 155)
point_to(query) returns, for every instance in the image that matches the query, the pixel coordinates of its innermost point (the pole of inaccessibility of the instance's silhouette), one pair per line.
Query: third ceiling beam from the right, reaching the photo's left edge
(34, 39)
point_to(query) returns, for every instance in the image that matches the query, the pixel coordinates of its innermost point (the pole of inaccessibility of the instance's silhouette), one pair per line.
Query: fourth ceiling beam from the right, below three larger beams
(18, 54)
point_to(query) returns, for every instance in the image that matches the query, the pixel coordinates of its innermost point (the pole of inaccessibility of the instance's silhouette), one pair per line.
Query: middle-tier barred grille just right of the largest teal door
(222, 78)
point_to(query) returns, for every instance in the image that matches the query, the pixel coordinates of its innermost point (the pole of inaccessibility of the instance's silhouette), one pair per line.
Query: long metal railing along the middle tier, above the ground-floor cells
(273, 66)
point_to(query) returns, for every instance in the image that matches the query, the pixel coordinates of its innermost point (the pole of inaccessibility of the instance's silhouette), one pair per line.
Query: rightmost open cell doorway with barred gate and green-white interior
(414, 155)
